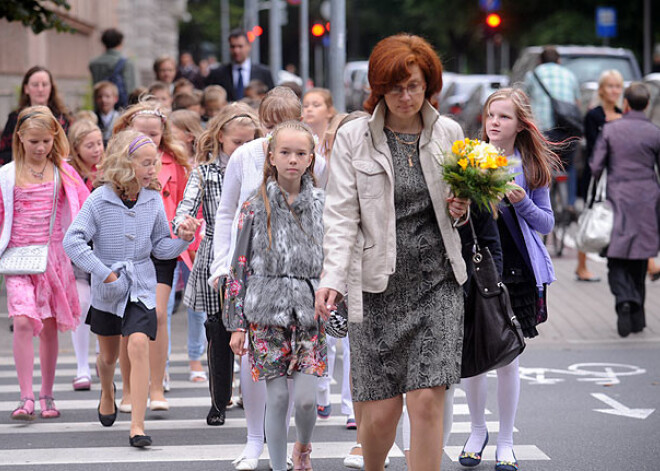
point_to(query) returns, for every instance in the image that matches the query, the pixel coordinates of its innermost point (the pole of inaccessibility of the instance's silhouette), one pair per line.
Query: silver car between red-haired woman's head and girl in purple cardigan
(464, 98)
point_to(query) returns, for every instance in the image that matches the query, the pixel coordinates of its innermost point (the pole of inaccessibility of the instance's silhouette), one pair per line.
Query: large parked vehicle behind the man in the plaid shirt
(587, 63)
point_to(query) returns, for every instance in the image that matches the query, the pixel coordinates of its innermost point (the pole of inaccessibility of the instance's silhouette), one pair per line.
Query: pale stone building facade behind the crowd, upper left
(150, 29)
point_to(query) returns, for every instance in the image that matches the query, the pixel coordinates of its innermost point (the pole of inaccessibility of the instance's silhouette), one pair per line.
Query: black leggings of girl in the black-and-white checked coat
(221, 362)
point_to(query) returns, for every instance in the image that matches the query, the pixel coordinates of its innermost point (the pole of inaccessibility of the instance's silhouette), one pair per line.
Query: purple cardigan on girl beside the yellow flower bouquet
(535, 216)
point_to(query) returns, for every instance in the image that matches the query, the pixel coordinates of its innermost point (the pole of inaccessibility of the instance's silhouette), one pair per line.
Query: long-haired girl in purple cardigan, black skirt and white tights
(524, 212)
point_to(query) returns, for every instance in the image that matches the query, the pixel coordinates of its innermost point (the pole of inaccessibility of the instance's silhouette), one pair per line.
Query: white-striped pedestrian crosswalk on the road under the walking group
(181, 436)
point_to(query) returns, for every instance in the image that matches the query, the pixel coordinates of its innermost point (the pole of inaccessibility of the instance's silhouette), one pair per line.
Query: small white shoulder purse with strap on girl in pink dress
(30, 259)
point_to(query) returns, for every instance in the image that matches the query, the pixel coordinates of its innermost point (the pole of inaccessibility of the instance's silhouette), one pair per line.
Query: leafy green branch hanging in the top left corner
(34, 14)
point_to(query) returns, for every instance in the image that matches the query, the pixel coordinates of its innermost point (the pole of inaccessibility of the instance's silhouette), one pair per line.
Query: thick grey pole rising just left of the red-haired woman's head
(337, 52)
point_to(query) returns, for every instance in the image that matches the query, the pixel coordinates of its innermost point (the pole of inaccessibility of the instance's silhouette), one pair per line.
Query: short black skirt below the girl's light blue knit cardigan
(137, 318)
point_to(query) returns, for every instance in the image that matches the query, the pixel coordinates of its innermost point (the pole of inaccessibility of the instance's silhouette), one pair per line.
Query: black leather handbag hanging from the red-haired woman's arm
(492, 336)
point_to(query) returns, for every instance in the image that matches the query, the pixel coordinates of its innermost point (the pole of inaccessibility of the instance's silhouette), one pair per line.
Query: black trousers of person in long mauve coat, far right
(627, 279)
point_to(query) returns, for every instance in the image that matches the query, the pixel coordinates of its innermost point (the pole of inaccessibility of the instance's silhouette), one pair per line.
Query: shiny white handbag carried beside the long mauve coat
(597, 220)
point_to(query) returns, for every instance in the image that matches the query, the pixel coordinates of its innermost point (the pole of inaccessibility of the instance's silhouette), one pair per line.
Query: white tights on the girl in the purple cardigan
(508, 392)
